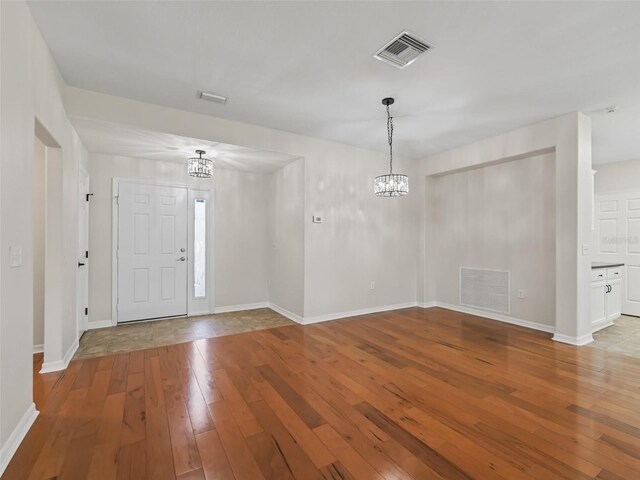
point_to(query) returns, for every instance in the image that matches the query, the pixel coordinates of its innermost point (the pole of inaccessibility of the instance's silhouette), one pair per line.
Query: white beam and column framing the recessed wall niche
(570, 137)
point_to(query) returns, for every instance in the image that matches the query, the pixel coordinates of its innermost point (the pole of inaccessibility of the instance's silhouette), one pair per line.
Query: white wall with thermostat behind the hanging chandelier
(363, 238)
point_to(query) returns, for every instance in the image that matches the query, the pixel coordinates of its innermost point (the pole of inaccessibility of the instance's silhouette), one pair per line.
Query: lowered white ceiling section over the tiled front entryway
(128, 141)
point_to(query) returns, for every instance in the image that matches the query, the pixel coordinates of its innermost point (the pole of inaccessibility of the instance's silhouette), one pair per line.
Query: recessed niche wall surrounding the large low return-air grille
(500, 217)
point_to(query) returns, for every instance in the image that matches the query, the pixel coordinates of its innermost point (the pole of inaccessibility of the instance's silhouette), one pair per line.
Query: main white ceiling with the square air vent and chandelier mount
(307, 67)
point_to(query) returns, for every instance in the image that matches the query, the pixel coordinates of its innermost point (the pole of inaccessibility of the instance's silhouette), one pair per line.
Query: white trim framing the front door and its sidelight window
(115, 188)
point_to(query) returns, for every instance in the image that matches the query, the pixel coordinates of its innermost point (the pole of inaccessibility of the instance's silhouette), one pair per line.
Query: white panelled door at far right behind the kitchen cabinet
(617, 239)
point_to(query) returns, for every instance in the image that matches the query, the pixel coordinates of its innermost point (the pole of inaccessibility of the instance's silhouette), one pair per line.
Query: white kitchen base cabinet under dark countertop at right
(606, 297)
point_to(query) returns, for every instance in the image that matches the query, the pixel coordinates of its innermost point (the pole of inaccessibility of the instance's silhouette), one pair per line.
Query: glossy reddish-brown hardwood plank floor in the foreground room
(411, 394)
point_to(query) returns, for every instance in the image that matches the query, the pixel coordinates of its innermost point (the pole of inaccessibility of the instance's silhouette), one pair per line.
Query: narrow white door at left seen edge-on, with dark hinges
(82, 284)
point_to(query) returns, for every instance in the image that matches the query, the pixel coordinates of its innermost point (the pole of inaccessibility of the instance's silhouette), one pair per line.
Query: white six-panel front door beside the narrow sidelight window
(151, 251)
